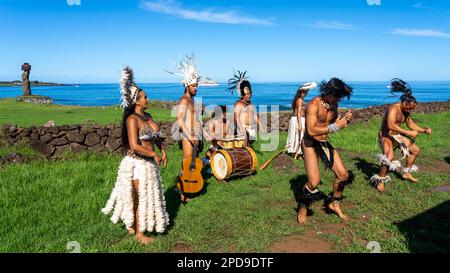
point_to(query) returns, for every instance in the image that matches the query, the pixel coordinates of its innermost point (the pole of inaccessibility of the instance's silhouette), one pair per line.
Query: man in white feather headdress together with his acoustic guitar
(189, 121)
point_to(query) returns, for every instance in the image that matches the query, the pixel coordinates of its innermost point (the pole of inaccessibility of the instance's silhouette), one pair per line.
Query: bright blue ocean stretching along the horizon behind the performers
(364, 93)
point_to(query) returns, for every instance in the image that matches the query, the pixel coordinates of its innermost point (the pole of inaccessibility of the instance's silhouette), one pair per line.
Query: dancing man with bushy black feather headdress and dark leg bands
(321, 120)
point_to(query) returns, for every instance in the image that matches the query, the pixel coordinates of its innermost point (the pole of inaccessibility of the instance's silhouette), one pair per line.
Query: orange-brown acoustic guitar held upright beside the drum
(191, 180)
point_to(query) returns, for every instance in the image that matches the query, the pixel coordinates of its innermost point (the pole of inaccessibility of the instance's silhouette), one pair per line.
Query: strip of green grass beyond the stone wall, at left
(29, 114)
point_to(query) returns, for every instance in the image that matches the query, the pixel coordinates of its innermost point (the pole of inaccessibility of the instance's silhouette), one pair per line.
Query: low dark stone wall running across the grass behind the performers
(54, 141)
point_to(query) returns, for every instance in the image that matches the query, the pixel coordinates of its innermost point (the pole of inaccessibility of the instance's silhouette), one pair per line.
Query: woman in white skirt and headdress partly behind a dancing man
(297, 121)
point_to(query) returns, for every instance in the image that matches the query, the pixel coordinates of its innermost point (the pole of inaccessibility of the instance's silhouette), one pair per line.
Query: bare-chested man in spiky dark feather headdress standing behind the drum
(245, 115)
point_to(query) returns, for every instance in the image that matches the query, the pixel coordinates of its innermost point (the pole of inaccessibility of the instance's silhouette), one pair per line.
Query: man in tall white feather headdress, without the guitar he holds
(189, 112)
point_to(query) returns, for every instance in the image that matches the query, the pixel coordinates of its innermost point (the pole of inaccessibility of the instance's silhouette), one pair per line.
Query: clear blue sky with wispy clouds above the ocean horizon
(90, 40)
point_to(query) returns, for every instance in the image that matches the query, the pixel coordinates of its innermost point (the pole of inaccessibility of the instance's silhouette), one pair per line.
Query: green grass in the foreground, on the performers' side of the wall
(47, 204)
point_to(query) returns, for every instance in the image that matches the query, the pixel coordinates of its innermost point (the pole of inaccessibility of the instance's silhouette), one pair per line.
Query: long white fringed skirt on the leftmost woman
(152, 204)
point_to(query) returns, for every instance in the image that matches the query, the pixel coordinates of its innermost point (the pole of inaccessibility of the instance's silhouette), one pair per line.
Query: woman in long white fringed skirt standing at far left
(137, 198)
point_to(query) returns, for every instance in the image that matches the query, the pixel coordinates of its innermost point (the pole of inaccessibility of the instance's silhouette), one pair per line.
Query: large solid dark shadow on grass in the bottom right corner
(428, 231)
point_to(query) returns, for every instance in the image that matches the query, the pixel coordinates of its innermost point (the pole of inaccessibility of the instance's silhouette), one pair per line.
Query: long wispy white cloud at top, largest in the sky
(172, 7)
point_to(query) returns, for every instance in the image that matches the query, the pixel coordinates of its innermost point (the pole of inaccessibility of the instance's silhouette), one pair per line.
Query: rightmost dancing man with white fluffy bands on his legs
(392, 136)
